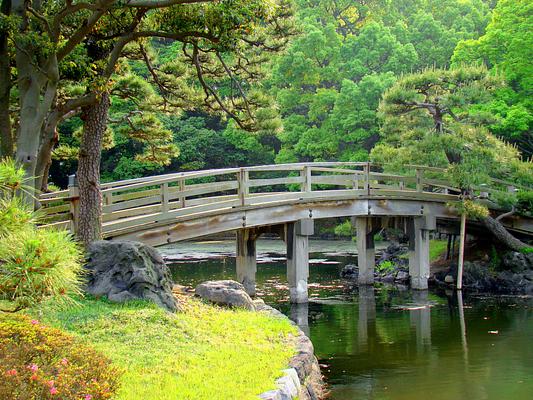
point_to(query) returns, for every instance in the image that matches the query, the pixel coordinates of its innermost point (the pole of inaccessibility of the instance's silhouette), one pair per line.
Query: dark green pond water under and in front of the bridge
(387, 342)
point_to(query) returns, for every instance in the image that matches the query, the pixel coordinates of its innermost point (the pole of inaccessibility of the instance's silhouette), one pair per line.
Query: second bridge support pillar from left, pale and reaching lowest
(297, 240)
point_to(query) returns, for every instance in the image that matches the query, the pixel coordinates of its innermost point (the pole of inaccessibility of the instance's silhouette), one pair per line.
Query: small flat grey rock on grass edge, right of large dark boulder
(225, 293)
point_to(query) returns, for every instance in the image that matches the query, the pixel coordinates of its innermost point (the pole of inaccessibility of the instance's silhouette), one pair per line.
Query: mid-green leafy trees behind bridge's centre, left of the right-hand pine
(330, 81)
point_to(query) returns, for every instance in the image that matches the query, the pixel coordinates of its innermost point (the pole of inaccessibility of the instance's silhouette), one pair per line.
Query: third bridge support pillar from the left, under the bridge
(366, 254)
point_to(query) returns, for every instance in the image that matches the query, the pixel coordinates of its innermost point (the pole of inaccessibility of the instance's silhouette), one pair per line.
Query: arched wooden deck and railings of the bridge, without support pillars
(160, 209)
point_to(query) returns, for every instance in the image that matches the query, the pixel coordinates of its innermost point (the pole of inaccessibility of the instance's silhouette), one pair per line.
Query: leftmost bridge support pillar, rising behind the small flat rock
(246, 259)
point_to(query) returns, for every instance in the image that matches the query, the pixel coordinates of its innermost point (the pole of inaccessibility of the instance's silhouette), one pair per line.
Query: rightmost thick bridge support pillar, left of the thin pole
(418, 231)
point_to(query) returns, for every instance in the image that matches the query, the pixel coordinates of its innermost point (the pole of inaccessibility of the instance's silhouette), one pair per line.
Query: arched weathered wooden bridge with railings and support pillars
(283, 199)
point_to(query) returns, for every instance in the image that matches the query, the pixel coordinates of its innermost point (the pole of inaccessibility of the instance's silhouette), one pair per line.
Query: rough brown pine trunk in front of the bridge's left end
(90, 213)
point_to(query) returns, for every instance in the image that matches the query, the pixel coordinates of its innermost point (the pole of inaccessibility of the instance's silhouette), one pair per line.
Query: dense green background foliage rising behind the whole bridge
(320, 101)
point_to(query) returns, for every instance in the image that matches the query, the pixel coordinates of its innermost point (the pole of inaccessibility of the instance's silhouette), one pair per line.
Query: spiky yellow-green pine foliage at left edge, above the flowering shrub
(34, 263)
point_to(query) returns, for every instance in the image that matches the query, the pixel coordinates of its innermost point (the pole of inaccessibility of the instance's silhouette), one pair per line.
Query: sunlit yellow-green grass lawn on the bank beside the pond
(204, 352)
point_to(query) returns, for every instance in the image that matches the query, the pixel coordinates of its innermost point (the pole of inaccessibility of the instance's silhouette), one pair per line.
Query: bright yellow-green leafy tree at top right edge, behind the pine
(507, 47)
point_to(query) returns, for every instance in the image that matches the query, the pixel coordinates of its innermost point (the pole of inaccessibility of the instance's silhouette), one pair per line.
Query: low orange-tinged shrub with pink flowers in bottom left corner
(38, 362)
